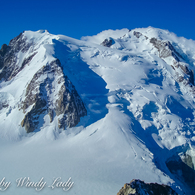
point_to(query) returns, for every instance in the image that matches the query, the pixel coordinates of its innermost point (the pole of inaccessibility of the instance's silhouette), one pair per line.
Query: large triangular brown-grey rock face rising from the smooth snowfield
(66, 104)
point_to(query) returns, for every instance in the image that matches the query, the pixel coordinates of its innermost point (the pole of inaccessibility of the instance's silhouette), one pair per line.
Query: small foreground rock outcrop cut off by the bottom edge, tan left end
(138, 187)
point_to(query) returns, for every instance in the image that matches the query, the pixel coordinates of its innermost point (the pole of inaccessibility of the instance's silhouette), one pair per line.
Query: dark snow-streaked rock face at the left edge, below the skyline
(8, 57)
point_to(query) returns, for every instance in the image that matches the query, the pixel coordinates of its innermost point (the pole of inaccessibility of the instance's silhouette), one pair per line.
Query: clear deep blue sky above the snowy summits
(77, 18)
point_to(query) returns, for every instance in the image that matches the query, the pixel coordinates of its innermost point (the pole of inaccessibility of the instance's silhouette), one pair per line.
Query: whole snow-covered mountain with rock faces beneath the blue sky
(102, 110)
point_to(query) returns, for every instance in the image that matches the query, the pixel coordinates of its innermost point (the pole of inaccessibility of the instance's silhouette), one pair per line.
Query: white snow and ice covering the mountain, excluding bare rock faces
(138, 114)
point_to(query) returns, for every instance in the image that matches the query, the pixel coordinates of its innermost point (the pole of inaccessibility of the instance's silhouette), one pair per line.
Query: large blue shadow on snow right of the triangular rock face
(89, 85)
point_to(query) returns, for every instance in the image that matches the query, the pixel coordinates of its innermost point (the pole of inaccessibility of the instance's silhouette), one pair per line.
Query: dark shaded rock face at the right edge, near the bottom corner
(183, 168)
